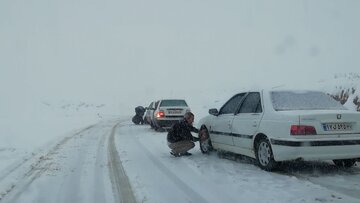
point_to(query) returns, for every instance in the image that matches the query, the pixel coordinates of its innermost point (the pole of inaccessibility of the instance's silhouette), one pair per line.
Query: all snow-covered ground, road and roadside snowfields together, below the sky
(66, 155)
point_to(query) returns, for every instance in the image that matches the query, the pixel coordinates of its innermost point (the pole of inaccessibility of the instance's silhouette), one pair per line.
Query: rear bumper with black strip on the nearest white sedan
(285, 150)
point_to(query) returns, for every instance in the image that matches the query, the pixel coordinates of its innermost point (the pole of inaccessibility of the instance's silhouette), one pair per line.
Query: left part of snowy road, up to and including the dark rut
(82, 167)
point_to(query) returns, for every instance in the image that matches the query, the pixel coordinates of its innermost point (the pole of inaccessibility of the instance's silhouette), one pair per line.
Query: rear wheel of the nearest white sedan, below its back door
(264, 155)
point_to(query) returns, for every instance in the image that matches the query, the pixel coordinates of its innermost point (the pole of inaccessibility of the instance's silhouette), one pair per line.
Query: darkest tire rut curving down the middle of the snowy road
(120, 182)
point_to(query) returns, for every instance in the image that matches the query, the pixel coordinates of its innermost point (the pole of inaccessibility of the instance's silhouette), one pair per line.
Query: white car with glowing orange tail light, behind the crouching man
(169, 111)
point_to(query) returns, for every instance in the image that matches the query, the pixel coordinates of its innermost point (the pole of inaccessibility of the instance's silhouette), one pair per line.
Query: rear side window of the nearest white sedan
(251, 104)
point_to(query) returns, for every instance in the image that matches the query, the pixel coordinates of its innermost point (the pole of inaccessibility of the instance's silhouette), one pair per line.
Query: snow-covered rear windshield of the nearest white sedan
(303, 100)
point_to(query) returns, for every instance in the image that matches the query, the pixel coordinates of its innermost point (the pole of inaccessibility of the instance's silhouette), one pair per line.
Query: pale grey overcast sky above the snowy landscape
(86, 49)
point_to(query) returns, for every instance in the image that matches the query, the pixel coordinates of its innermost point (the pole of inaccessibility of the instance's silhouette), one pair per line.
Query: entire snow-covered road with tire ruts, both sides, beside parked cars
(116, 161)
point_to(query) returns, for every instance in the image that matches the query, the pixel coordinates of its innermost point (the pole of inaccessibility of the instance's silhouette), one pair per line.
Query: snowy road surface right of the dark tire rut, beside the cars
(158, 177)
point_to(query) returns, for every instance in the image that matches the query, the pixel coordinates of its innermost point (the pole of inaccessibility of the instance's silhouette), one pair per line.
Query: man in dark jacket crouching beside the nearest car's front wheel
(180, 139)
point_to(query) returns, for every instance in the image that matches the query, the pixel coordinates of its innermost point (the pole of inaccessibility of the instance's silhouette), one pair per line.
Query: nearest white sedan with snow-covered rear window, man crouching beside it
(275, 126)
